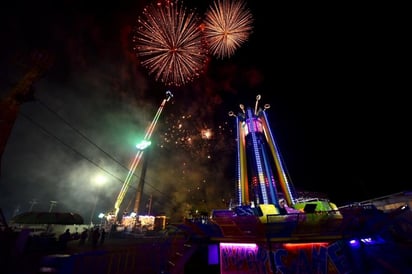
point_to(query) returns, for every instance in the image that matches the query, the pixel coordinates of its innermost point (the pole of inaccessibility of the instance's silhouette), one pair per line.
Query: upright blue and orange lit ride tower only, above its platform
(262, 177)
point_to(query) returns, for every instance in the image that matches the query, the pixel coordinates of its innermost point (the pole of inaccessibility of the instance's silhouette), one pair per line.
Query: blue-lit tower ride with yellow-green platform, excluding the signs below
(263, 182)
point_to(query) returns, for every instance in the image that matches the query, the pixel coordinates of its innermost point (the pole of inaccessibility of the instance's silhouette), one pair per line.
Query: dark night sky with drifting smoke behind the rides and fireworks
(335, 78)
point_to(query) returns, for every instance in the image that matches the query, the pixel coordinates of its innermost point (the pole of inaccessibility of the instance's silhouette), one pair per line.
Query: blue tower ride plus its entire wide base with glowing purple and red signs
(314, 237)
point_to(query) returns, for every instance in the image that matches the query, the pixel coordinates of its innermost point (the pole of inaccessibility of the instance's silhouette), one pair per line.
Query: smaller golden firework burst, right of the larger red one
(228, 24)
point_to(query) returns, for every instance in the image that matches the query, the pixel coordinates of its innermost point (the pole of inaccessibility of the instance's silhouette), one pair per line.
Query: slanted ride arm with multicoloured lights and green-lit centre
(140, 150)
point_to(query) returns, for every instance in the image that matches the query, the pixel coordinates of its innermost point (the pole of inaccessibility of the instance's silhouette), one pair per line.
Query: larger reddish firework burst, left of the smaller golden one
(168, 42)
